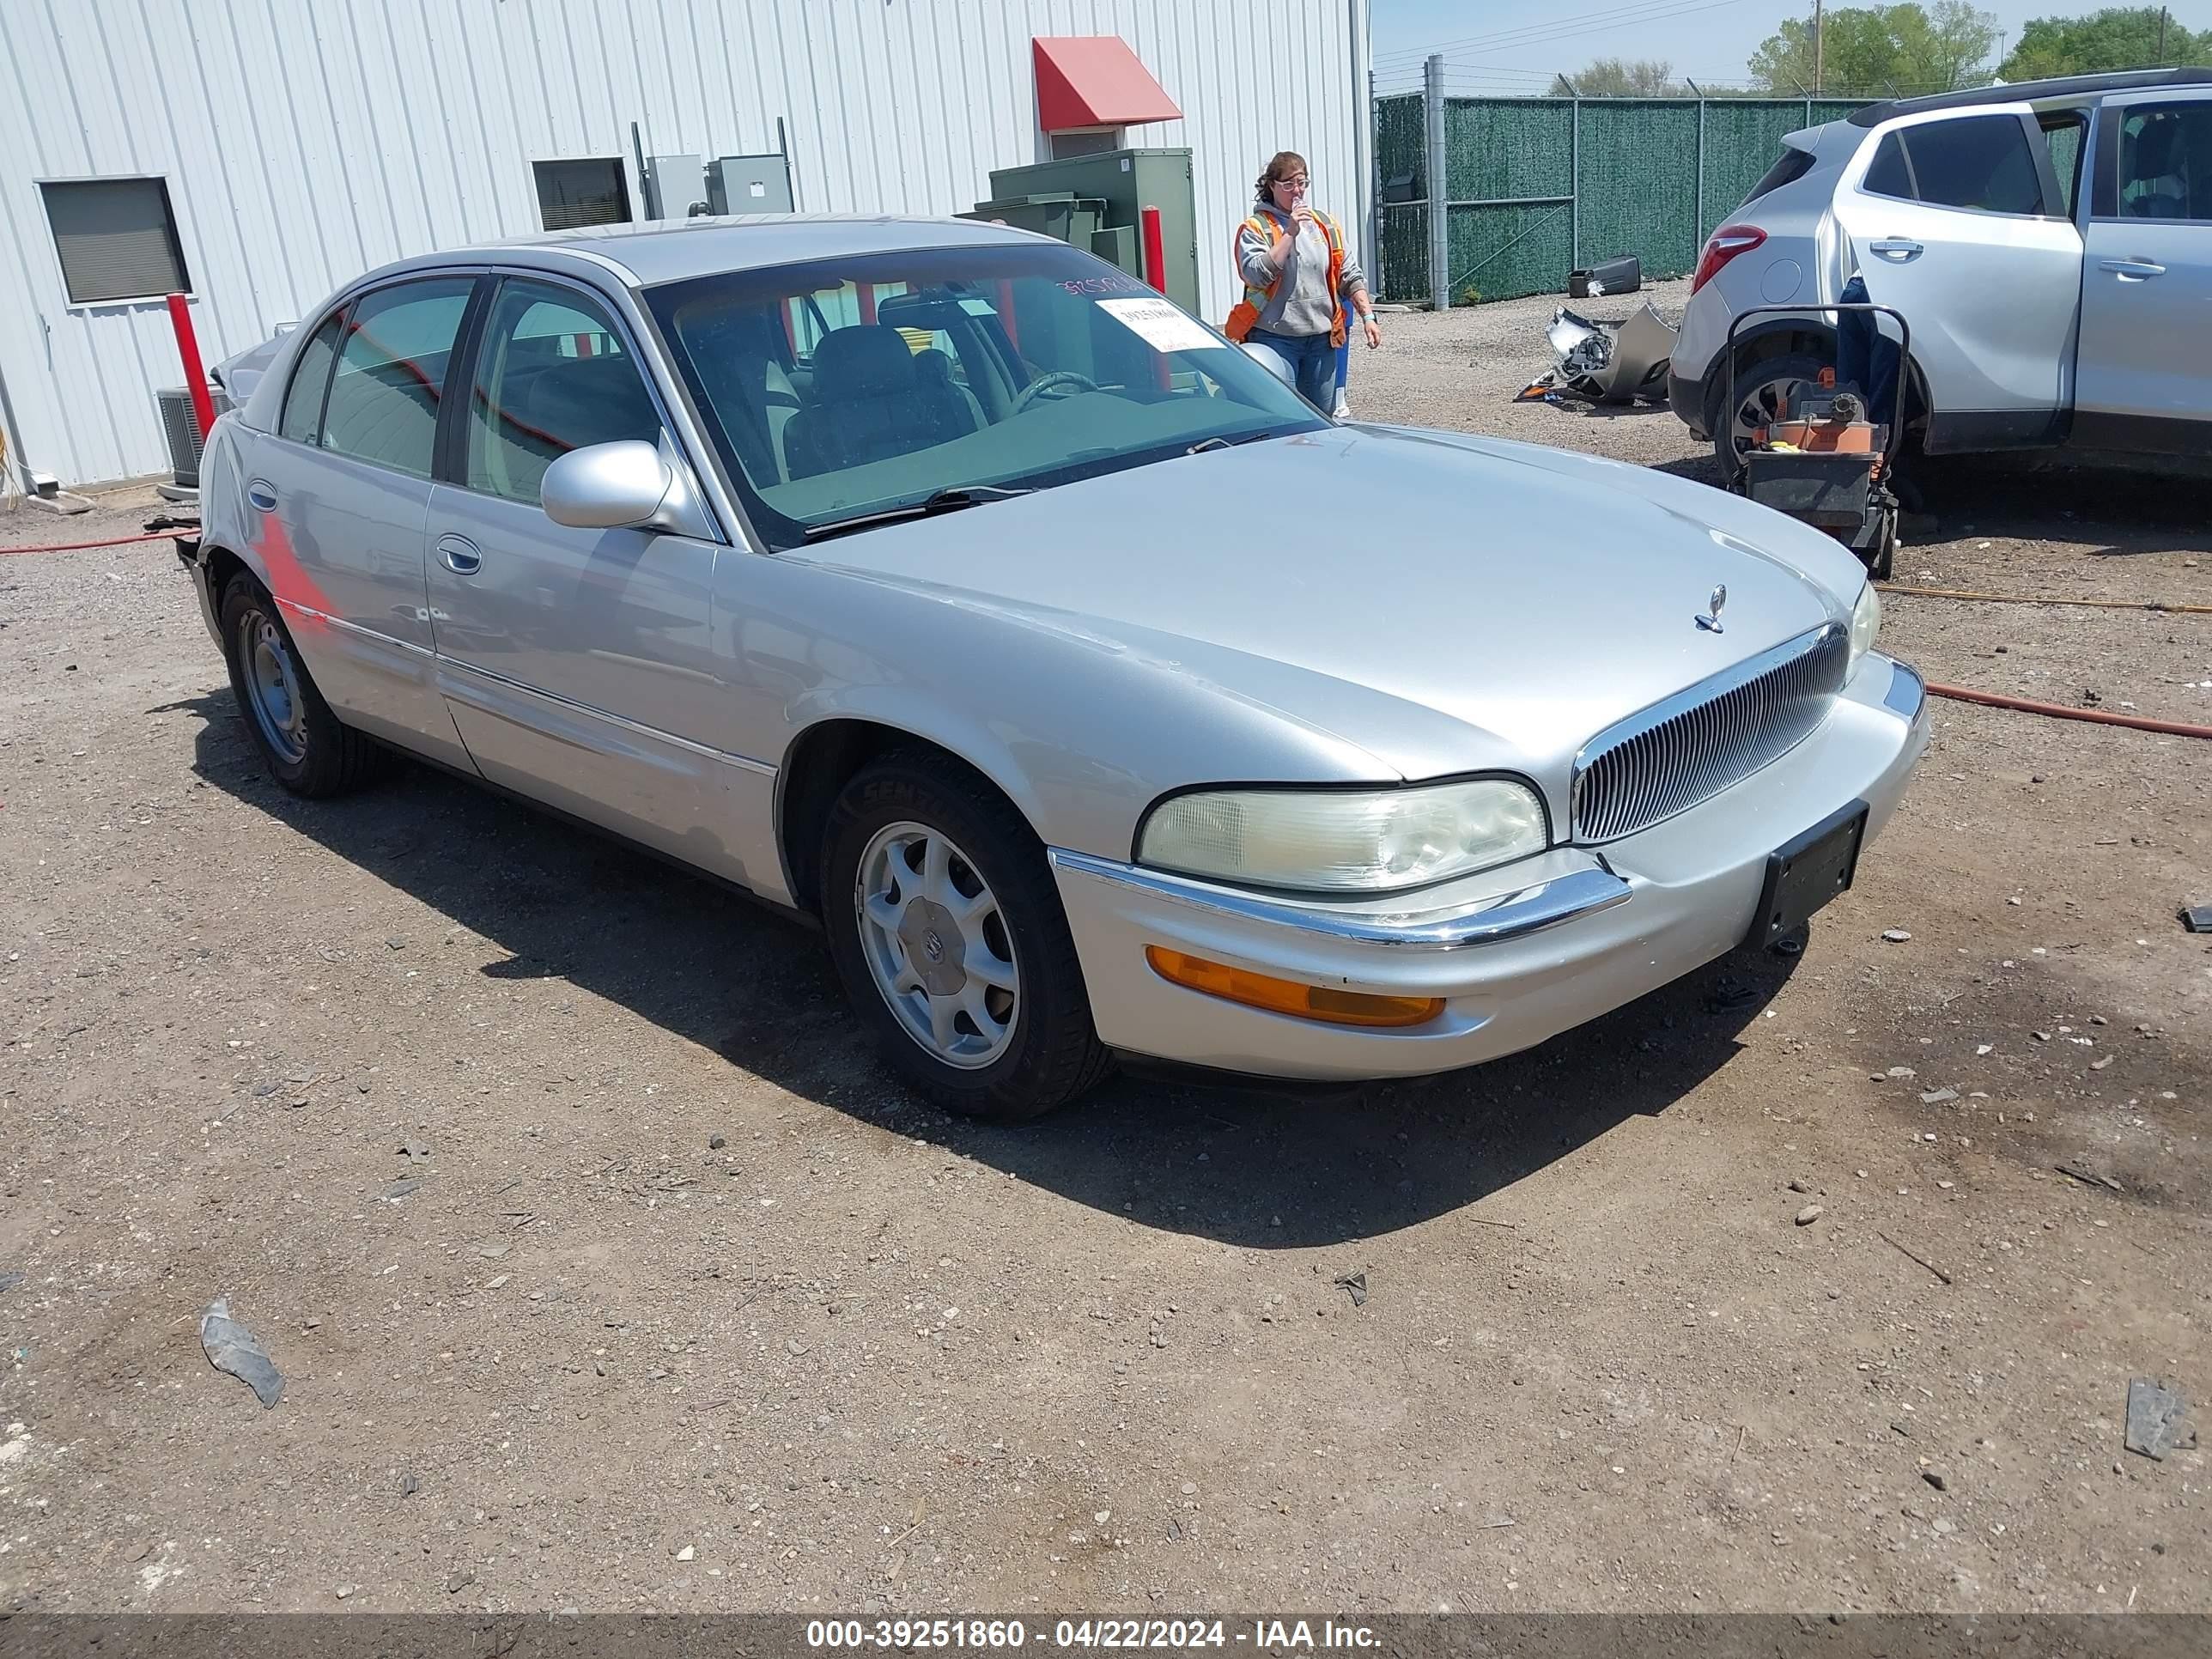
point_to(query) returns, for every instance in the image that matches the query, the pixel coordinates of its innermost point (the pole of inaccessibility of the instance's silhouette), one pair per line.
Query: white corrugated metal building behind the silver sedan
(262, 154)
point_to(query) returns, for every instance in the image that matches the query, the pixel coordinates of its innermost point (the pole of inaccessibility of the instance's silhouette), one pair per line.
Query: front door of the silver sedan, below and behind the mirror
(581, 665)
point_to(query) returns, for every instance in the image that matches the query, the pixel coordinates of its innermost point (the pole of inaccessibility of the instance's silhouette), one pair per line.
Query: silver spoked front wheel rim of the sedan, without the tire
(937, 946)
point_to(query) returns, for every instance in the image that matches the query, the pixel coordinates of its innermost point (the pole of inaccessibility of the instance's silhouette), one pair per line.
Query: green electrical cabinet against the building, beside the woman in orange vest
(1096, 202)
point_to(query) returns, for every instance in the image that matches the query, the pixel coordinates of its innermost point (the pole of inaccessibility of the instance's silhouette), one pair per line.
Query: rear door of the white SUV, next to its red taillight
(1959, 220)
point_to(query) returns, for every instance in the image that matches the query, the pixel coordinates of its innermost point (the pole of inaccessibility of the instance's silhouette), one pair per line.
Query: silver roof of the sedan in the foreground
(671, 251)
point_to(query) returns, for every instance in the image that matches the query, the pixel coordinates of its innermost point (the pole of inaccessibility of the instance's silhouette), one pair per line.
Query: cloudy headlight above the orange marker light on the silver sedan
(1346, 842)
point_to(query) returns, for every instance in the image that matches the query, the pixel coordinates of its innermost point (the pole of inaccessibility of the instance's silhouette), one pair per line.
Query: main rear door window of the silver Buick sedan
(390, 377)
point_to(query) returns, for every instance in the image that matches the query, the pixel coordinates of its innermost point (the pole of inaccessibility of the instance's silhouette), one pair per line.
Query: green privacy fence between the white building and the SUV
(1536, 187)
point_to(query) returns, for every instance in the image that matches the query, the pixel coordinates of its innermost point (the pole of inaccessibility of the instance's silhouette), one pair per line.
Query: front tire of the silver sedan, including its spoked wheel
(950, 939)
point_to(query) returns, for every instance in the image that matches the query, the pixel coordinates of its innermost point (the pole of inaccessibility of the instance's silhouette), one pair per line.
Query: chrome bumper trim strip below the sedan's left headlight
(1494, 921)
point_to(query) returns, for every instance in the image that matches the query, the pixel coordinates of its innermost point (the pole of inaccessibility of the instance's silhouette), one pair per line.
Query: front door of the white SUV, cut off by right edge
(2147, 295)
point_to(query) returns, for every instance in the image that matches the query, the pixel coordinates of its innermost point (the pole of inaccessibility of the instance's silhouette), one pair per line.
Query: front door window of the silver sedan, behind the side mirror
(552, 377)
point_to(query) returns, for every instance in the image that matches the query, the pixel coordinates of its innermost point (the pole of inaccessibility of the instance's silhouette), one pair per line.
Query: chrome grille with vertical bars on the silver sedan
(1698, 742)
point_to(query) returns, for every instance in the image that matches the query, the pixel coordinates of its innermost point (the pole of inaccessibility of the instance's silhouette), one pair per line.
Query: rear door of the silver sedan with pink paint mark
(342, 494)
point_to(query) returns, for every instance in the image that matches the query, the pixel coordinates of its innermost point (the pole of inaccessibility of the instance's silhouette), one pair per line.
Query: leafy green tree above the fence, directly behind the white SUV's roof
(1881, 52)
